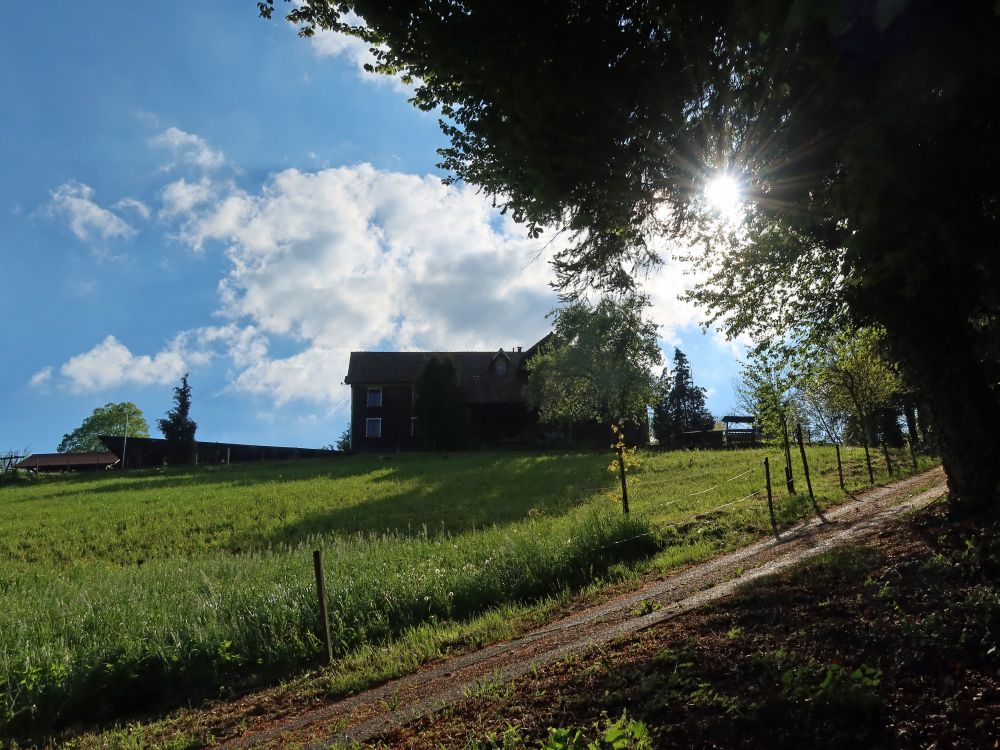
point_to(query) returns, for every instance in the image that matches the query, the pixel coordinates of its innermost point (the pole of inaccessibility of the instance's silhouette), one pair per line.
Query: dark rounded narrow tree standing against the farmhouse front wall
(439, 404)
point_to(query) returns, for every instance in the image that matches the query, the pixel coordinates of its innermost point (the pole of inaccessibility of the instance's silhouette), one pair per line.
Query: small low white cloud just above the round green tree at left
(111, 364)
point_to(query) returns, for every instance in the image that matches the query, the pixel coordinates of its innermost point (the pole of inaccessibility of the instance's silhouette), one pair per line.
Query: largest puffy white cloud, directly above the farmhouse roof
(359, 258)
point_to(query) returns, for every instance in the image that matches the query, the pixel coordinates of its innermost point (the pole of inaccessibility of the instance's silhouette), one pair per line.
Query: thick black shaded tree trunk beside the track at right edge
(944, 366)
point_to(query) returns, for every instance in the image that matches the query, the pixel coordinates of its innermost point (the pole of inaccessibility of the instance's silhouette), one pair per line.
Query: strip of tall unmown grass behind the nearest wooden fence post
(89, 643)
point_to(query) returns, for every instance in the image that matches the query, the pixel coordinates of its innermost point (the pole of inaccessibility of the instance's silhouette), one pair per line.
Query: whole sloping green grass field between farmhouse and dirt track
(121, 594)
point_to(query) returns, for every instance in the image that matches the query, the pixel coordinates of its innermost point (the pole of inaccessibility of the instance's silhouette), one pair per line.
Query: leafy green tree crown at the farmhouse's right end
(598, 366)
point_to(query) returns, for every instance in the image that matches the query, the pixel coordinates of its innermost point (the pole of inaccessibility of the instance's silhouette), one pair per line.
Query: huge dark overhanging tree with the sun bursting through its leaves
(858, 130)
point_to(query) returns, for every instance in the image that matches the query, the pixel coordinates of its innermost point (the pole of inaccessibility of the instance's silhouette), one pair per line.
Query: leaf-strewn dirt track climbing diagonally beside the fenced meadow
(371, 713)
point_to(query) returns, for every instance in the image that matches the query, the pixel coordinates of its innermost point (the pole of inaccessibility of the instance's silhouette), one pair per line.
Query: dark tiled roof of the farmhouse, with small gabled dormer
(481, 383)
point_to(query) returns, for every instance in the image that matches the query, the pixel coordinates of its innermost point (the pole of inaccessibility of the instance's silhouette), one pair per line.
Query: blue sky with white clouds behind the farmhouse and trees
(190, 189)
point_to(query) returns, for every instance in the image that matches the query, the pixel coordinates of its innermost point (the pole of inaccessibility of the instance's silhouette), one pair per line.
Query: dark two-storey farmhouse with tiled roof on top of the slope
(382, 416)
